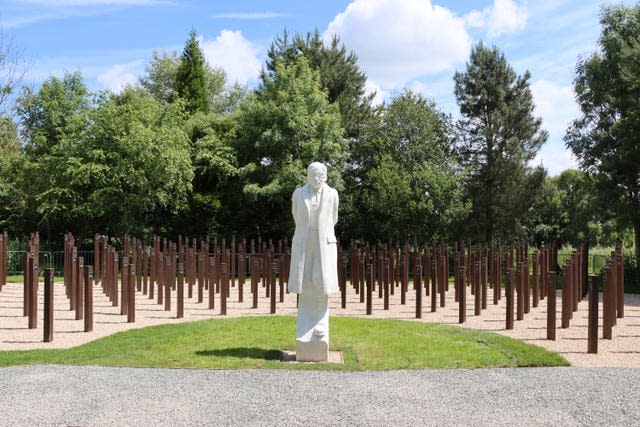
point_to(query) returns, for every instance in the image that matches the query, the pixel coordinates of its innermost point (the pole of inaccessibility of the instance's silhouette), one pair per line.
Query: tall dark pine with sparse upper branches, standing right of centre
(498, 136)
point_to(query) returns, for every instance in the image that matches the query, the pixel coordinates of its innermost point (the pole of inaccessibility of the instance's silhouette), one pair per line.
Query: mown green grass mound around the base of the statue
(255, 343)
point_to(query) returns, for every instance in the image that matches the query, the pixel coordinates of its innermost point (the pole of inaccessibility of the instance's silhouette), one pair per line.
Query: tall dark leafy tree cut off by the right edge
(605, 139)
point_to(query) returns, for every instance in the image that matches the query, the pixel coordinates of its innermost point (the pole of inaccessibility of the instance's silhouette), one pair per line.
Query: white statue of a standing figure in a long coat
(314, 262)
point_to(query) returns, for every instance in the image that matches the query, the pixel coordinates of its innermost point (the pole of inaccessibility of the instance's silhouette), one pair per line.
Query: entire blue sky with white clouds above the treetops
(416, 44)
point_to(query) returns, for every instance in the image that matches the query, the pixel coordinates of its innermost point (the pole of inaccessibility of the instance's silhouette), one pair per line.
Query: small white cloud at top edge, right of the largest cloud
(504, 16)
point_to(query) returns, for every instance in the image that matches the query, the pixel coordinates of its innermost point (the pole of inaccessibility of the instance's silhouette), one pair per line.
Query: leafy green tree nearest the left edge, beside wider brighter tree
(53, 121)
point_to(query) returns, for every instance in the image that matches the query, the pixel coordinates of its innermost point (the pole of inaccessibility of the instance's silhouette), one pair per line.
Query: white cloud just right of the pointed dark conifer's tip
(235, 54)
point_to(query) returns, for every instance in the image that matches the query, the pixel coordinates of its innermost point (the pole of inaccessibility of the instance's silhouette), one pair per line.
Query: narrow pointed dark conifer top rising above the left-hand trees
(191, 78)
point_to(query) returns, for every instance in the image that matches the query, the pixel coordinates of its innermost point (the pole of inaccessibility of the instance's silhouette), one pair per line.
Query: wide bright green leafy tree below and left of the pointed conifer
(134, 166)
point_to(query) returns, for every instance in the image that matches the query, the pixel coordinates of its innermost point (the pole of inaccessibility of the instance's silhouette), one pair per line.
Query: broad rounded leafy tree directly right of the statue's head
(404, 184)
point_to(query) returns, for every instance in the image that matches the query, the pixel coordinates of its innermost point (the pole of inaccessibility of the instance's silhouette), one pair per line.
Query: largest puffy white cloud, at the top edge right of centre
(397, 41)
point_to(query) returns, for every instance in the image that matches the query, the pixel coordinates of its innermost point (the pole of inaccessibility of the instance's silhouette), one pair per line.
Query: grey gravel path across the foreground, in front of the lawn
(94, 396)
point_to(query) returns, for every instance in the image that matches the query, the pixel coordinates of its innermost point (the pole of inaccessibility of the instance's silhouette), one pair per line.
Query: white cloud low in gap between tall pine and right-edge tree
(556, 105)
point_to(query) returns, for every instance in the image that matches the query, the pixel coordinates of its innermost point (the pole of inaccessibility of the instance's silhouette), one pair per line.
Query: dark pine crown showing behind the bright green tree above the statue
(340, 74)
